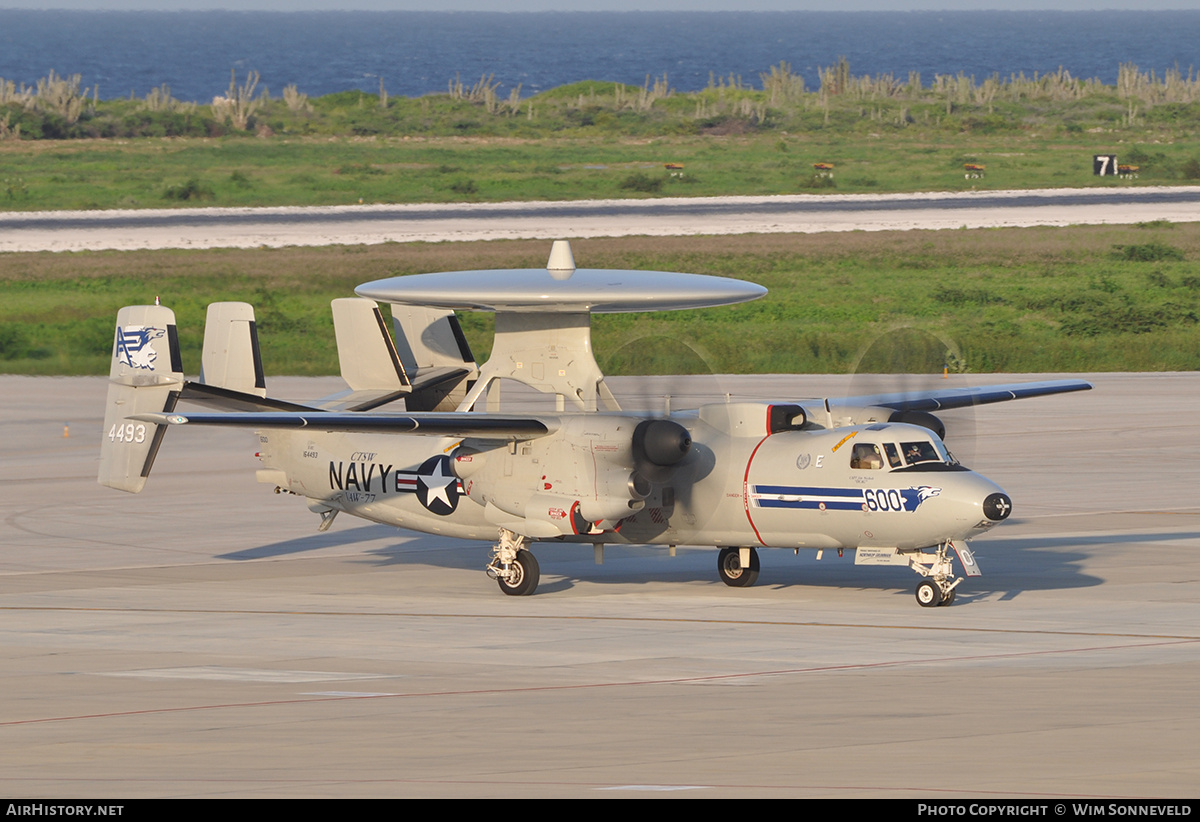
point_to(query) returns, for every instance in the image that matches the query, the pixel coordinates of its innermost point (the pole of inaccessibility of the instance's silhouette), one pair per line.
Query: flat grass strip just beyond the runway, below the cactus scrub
(247, 172)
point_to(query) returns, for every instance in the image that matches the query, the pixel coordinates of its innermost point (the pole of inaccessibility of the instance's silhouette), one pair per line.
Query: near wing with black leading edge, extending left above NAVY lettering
(485, 427)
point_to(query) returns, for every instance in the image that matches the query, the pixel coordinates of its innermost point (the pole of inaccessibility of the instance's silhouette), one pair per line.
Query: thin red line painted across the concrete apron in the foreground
(631, 683)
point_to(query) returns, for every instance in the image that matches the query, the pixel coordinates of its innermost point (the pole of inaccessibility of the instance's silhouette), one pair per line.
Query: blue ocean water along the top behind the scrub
(418, 53)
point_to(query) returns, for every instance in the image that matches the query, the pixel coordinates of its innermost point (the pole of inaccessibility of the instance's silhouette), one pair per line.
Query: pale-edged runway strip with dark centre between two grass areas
(352, 225)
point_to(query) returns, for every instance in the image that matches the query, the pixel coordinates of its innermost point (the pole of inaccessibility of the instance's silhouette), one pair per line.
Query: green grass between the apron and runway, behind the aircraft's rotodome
(1010, 301)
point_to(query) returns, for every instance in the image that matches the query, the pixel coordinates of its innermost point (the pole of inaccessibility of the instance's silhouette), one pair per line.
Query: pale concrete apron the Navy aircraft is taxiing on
(203, 640)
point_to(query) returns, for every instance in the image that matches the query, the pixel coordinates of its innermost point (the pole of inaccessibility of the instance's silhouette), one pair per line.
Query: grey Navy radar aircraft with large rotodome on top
(866, 473)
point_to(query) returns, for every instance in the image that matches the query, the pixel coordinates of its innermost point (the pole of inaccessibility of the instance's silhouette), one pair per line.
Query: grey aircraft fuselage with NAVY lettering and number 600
(883, 485)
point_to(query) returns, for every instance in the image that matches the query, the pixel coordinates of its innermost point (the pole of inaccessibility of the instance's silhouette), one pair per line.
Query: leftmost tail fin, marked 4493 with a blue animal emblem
(147, 376)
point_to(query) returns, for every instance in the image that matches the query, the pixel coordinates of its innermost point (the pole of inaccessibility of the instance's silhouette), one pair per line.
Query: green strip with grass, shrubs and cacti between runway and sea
(597, 140)
